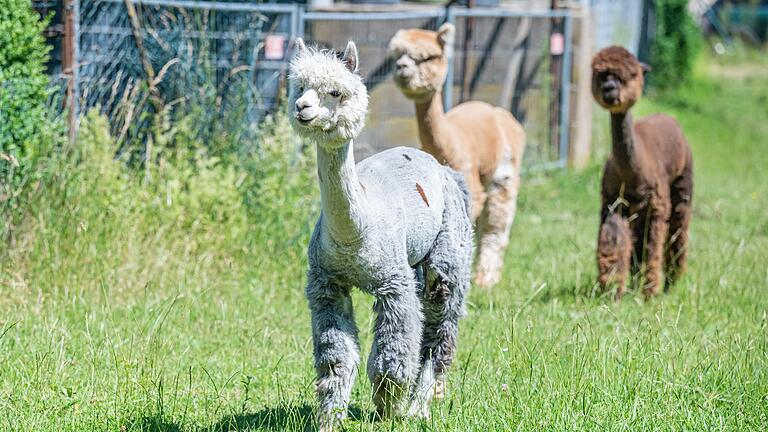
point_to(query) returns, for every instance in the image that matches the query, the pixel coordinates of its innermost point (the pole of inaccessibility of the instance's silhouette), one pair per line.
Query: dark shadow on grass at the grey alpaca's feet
(281, 418)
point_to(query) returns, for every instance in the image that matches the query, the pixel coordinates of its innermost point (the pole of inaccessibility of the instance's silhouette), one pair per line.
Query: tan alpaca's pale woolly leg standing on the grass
(495, 224)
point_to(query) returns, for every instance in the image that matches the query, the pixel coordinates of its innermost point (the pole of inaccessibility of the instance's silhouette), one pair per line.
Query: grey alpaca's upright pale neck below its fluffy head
(340, 193)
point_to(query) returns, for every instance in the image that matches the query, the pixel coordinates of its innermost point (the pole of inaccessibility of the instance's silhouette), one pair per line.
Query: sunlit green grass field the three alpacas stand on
(115, 318)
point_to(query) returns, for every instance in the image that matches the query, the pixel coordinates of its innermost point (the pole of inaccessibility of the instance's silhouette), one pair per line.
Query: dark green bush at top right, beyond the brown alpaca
(676, 44)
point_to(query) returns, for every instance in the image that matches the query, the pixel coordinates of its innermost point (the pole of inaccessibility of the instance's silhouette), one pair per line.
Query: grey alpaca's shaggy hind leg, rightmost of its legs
(447, 281)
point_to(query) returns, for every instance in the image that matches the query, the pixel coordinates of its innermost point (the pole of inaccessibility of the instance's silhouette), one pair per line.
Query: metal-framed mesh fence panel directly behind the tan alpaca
(500, 57)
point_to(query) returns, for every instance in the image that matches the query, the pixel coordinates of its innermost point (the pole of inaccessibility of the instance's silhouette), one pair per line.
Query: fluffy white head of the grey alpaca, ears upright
(330, 99)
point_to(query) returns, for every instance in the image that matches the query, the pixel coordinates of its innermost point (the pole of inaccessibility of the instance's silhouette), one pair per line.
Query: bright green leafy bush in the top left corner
(23, 82)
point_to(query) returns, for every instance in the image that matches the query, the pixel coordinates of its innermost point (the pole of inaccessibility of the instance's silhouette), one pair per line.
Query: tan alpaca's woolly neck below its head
(430, 116)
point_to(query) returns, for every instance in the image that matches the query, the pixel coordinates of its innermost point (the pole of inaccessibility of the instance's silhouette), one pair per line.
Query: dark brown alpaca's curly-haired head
(617, 79)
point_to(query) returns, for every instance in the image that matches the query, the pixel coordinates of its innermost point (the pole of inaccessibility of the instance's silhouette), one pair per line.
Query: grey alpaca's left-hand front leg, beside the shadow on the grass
(336, 348)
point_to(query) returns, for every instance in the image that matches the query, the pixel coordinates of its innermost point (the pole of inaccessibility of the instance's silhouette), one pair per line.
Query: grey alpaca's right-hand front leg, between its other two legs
(394, 358)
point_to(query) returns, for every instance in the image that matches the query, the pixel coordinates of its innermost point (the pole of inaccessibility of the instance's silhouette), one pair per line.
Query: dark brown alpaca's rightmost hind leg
(677, 253)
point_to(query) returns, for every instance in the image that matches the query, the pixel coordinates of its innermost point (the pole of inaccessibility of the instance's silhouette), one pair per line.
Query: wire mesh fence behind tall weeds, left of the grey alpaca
(179, 55)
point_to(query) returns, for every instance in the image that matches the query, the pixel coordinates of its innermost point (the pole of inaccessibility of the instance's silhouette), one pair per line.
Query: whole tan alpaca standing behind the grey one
(483, 142)
